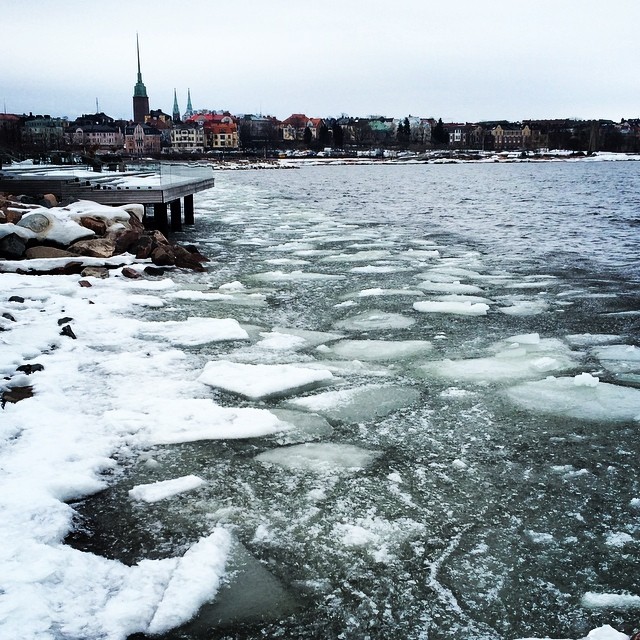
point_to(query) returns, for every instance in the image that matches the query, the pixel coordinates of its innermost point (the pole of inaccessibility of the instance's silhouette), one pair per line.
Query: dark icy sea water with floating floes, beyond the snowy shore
(468, 468)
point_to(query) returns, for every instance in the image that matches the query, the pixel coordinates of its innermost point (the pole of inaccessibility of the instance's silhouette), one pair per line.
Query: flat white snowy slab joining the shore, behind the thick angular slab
(195, 331)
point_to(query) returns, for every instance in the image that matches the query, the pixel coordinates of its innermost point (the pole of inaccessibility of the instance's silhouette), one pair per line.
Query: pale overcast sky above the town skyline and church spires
(461, 60)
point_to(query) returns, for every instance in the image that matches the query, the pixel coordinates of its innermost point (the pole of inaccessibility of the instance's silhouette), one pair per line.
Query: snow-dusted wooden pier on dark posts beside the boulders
(168, 189)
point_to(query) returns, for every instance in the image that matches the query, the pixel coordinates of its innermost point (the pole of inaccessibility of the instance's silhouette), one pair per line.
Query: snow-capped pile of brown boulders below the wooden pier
(35, 229)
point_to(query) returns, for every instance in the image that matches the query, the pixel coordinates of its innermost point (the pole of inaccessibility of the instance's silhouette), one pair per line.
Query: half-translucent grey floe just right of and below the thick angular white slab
(358, 404)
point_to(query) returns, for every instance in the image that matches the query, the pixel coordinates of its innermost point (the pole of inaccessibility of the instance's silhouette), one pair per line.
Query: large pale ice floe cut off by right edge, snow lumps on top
(562, 397)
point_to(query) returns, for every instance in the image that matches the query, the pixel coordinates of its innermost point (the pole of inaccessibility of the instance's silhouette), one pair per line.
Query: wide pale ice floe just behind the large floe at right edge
(518, 361)
